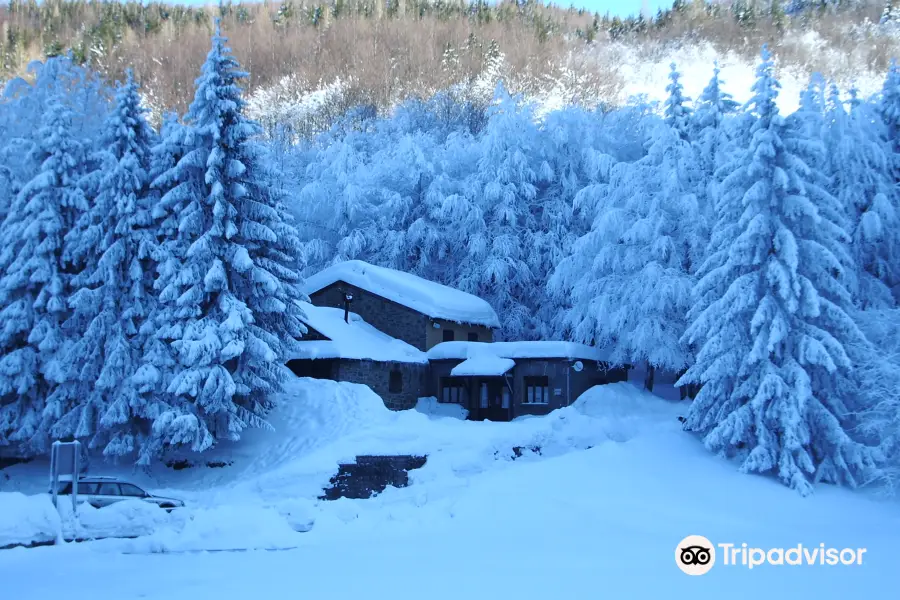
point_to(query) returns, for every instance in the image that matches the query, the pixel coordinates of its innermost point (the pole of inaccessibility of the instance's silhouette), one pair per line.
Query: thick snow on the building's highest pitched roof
(427, 297)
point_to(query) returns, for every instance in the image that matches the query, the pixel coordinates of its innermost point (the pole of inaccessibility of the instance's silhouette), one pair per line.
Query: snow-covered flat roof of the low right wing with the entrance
(517, 350)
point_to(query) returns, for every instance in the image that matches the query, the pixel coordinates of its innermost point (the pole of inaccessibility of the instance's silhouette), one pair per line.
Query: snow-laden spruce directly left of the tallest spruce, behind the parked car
(112, 293)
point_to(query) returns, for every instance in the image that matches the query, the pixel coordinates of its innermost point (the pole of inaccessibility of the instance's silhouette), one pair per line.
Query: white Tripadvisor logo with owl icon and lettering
(696, 555)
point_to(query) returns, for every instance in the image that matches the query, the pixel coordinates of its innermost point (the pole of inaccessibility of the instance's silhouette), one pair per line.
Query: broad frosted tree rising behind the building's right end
(630, 278)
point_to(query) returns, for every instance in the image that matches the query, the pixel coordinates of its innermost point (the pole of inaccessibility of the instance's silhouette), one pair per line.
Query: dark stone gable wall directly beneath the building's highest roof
(385, 315)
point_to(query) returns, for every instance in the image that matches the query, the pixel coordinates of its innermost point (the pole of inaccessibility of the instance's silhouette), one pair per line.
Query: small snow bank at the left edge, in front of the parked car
(27, 519)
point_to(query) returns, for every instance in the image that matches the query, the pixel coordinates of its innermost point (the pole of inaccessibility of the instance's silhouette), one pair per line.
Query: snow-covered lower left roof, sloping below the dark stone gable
(354, 340)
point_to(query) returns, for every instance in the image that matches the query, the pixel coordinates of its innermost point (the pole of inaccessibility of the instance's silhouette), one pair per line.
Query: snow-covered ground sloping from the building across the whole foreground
(596, 514)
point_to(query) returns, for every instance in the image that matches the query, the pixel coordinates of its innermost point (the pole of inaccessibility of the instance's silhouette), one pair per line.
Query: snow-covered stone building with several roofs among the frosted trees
(407, 338)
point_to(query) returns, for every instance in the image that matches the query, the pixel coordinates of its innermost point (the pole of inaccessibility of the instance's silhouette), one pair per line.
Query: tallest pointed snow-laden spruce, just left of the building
(231, 308)
